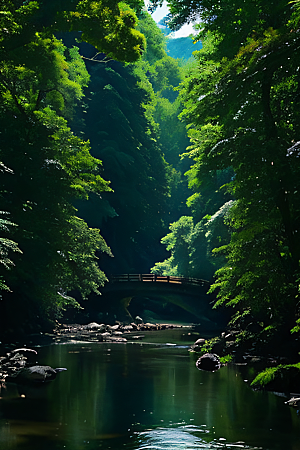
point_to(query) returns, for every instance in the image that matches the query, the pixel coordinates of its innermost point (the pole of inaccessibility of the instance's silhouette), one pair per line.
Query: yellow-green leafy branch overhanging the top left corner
(107, 25)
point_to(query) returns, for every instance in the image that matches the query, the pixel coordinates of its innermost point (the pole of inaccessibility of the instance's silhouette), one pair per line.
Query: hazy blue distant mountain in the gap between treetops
(178, 47)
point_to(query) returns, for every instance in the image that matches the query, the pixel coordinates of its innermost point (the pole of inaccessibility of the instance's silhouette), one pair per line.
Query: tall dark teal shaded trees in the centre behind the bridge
(122, 132)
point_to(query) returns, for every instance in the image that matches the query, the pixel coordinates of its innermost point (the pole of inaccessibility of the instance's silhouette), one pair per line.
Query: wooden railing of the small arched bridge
(154, 278)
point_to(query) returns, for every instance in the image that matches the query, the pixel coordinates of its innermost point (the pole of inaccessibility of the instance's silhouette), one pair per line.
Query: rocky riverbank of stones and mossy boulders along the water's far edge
(224, 349)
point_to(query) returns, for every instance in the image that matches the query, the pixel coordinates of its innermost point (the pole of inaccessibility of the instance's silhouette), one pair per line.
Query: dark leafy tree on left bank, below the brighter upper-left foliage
(53, 167)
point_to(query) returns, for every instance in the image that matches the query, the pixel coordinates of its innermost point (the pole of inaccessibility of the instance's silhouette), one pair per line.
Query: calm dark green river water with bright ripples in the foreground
(138, 396)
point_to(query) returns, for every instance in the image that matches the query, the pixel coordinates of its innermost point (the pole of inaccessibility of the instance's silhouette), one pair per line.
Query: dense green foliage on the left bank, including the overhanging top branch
(45, 166)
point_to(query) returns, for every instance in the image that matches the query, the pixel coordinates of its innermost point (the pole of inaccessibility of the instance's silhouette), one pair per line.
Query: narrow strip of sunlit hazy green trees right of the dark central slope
(165, 74)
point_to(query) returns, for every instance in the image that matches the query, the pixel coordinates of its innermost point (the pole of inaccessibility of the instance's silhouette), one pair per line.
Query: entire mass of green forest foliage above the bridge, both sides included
(89, 143)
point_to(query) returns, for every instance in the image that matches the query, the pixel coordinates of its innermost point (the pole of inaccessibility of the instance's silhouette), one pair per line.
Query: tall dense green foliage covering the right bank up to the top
(242, 104)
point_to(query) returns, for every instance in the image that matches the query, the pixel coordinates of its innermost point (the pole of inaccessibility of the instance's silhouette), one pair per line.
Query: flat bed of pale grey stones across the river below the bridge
(95, 332)
